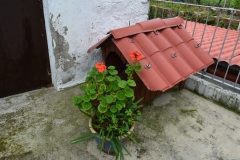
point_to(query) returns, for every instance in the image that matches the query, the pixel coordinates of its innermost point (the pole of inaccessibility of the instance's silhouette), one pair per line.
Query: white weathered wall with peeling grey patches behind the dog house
(74, 26)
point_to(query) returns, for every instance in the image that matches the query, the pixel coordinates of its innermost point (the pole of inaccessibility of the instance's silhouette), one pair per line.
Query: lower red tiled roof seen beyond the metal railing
(215, 51)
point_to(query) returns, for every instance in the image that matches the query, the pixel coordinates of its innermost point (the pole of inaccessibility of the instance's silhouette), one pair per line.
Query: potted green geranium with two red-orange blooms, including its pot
(109, 102)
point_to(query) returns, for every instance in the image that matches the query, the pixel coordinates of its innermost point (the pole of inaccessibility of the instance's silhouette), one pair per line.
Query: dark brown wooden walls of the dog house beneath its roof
(140, 90)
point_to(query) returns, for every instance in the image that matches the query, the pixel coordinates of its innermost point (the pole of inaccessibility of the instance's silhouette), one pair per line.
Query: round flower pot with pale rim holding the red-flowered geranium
(107, 147)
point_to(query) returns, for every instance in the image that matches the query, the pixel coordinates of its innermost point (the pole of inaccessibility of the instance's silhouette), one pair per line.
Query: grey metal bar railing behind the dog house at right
(224, 25)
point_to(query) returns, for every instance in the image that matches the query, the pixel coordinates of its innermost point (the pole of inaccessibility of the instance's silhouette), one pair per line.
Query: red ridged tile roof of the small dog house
(166, 46)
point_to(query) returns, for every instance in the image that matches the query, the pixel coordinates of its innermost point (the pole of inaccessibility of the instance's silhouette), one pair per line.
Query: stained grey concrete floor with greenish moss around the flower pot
(40, 125)
